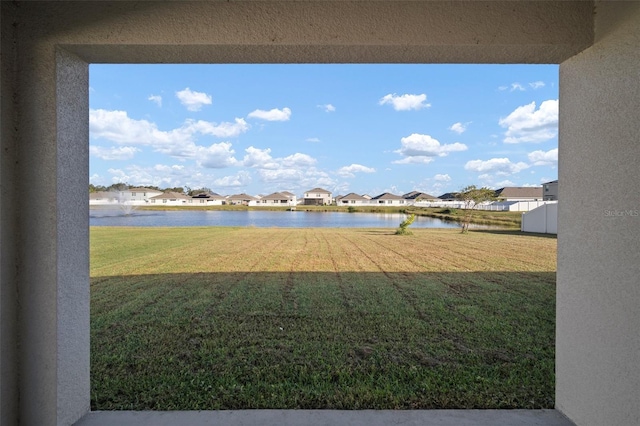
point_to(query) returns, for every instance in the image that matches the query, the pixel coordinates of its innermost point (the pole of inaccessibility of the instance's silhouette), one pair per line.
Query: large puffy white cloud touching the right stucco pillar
(526, 124)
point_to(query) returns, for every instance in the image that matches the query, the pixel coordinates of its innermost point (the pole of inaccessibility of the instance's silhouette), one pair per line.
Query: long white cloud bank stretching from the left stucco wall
(118, 127)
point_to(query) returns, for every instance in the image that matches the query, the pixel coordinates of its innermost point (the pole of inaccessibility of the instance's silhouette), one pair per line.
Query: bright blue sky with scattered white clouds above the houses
(368, 129)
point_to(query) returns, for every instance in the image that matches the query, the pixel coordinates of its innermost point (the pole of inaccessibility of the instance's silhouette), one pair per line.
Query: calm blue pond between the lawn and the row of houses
(260, 219)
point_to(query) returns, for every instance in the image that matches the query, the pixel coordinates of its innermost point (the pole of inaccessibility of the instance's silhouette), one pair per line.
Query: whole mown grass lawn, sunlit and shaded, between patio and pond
(230, 318)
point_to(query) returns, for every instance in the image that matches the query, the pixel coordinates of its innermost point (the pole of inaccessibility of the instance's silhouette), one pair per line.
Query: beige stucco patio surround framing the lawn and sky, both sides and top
(44, 296)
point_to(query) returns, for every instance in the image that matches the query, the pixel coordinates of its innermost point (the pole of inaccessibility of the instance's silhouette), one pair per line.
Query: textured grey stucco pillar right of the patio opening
(598, 299)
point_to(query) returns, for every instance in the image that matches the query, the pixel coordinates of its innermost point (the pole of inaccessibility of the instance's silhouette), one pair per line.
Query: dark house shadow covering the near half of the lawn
(343, 340)
